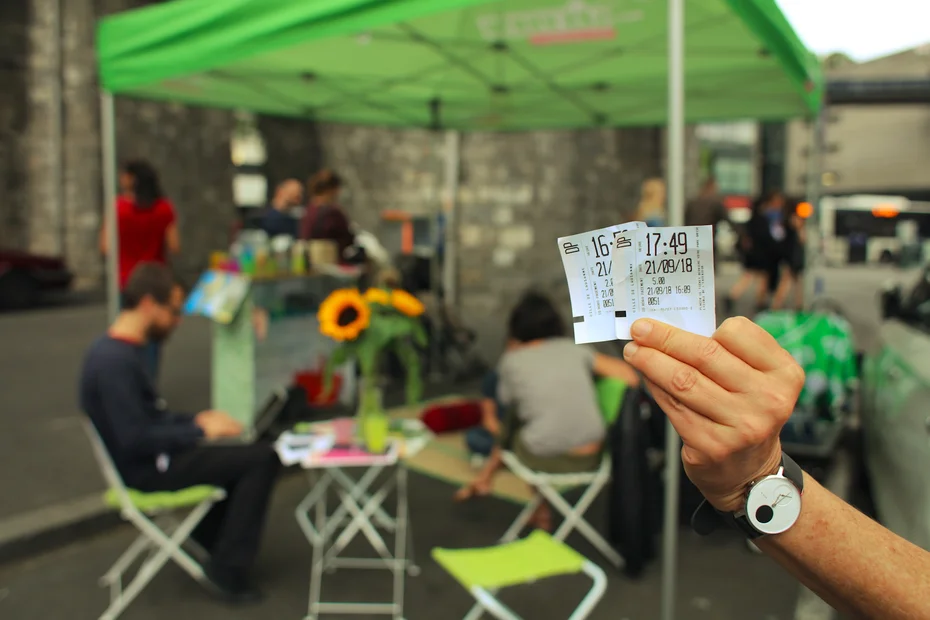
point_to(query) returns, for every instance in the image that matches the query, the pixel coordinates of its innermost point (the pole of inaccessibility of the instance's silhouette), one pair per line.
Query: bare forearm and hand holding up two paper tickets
(728, 397)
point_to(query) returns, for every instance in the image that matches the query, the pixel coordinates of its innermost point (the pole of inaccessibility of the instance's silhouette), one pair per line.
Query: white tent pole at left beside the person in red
(108, 147)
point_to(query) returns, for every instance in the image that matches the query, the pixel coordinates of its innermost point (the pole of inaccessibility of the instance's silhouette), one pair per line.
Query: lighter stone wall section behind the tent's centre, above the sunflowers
(517, 194)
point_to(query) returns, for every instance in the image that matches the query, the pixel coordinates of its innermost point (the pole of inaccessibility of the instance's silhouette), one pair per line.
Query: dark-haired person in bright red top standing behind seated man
(147, 231)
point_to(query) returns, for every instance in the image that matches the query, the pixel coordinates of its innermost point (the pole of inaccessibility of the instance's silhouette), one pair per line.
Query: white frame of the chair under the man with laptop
(161, 536)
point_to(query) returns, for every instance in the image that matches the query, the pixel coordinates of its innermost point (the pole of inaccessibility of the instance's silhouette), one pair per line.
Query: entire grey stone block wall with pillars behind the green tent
(517, 192)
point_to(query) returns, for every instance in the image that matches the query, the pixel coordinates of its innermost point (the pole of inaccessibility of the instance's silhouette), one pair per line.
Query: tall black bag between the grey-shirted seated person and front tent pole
(634, 502)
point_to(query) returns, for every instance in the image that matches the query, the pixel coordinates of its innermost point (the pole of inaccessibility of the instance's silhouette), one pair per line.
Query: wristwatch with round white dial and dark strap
(773, 505)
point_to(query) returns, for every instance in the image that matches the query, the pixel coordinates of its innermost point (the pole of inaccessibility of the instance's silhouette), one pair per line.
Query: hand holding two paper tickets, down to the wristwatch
(728, 396)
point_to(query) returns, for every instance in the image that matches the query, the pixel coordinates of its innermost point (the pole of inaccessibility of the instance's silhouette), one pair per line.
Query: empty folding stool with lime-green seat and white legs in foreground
(485, 571)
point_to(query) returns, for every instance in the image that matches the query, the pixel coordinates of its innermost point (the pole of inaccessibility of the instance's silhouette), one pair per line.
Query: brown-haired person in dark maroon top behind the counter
(325, 219)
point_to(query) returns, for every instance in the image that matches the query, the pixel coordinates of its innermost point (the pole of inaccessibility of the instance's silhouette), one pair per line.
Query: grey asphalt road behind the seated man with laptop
(44, 455)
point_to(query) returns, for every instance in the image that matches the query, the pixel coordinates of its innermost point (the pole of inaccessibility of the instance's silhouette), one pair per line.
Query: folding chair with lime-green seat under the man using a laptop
(161, 534)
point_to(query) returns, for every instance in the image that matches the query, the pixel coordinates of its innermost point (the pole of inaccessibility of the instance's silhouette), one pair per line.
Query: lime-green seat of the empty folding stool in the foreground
(523, 561)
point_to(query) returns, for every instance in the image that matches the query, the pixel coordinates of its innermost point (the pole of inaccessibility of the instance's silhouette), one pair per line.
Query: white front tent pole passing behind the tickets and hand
(676, 208)
